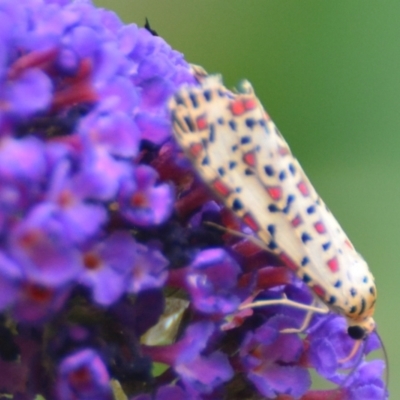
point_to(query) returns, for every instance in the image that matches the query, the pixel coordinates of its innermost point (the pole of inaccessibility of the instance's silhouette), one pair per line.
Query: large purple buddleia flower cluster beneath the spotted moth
(112, 286)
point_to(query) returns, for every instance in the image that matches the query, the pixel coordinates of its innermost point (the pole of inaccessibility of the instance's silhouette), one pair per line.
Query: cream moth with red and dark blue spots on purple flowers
(239, 153)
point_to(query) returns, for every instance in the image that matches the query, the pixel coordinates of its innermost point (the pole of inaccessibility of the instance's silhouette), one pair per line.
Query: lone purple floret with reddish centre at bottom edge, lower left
(83, 376)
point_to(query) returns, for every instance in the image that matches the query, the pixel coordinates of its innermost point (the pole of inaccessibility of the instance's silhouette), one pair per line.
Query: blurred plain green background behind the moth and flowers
(328, 73)
